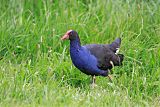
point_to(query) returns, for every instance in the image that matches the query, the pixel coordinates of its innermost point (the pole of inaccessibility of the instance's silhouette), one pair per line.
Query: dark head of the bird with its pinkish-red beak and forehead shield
(70, 34)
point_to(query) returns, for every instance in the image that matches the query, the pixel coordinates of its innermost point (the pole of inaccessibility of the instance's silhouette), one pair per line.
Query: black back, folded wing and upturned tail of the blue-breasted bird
(106, 53)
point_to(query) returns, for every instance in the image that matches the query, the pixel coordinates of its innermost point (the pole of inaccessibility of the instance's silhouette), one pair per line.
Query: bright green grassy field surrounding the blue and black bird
(35, 65)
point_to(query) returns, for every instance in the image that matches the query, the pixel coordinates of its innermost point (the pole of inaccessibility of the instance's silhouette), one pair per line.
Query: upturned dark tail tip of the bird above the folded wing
(115, 45)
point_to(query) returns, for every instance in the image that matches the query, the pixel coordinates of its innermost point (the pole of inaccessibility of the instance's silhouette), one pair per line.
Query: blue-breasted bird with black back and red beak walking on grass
(93, 59)
